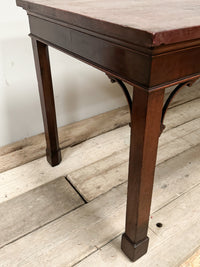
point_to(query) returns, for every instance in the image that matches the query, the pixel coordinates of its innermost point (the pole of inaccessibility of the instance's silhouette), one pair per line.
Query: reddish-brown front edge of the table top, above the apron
(132, 35)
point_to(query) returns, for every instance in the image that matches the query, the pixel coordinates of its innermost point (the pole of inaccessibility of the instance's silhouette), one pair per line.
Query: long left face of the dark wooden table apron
(129, 65)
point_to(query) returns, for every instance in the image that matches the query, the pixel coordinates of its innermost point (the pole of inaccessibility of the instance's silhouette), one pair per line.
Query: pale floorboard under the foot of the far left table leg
(24, 178)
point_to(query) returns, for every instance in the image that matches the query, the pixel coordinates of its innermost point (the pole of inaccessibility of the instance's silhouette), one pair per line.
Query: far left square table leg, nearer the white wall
(43, 71)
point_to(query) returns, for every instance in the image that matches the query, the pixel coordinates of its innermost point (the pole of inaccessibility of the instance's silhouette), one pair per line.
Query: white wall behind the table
(80, 90)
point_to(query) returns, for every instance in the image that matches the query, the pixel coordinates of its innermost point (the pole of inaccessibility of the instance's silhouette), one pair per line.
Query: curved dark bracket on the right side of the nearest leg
(171, 97)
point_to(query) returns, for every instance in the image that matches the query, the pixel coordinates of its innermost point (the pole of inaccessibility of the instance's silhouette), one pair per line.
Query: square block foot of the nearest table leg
(134, 251)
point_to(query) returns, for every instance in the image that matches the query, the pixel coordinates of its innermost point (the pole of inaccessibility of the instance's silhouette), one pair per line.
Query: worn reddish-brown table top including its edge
(143, 22)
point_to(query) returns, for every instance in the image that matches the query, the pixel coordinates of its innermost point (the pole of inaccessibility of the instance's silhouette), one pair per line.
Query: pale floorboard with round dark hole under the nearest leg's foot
(177, 239)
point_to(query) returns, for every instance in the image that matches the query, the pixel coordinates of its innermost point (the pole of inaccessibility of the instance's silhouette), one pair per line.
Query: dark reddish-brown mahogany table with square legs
(148, 44)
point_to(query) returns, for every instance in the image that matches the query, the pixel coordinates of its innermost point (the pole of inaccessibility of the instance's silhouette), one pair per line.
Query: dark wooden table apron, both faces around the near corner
(135, 67)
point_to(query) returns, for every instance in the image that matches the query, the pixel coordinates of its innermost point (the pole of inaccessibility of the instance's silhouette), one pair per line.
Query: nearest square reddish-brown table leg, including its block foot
(145, 131)
